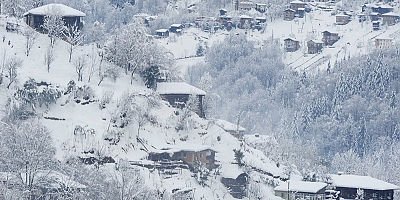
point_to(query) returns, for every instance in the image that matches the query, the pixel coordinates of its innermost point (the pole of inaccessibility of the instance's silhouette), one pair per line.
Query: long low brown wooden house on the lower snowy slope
(188, 153)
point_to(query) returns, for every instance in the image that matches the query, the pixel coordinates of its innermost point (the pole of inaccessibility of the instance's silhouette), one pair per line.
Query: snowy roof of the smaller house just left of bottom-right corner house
(301, 186)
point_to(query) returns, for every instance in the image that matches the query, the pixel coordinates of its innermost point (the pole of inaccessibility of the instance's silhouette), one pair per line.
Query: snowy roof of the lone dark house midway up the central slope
(178, 88)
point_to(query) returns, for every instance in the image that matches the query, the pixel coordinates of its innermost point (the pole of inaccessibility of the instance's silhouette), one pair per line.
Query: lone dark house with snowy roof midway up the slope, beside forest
(178, 93)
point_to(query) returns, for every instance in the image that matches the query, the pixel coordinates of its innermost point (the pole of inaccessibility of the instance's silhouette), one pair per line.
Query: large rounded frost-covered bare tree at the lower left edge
(27, 148)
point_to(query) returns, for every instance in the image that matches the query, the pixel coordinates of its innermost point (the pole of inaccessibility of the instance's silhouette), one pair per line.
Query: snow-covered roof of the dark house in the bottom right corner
(363, 182)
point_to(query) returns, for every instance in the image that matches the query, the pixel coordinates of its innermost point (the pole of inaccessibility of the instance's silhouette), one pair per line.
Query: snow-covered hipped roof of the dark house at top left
(65, 10)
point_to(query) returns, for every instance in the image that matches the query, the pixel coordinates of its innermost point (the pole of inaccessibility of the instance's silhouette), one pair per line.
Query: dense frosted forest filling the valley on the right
(344, 118)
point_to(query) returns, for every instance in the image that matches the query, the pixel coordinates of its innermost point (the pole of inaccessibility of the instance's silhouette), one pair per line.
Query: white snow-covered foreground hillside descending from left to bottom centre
(78, 127)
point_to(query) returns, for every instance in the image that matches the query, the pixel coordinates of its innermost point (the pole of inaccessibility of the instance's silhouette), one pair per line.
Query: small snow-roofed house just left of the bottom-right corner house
(292, 189)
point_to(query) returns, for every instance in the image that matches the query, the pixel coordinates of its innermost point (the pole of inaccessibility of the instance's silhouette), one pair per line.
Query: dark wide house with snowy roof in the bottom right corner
(371, 187)
